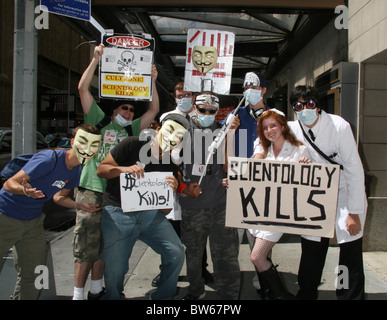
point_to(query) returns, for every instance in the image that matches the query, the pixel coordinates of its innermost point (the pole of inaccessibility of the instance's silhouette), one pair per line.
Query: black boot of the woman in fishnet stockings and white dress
(271, 281)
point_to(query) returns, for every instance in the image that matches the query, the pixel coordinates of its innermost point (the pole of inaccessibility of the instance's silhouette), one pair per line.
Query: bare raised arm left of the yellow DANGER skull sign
(87, 77)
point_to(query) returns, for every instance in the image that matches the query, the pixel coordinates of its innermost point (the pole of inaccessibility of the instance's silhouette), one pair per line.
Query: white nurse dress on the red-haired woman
(287, 153)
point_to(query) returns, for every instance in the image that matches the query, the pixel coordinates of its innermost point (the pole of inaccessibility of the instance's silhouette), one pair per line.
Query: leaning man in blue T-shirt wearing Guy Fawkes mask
(48, 174)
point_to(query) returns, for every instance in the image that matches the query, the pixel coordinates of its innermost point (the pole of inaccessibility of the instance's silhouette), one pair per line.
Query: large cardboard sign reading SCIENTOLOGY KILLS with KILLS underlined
(287, 197)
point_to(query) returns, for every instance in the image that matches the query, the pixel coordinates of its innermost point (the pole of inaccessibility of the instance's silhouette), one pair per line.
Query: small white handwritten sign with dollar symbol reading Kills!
(148, 193)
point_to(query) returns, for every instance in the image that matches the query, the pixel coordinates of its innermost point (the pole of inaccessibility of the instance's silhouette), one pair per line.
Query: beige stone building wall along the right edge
(368, 46)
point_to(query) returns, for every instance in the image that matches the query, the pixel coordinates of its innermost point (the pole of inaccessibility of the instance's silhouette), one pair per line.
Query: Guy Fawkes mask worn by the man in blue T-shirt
(85, 145)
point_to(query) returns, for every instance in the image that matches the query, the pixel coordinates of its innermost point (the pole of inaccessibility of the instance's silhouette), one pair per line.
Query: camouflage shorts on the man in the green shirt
(88, 240)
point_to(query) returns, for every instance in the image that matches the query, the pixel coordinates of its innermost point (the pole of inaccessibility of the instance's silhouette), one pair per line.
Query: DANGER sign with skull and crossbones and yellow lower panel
(126, 66)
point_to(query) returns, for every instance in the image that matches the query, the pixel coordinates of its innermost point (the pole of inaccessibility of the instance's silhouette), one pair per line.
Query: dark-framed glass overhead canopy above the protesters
(267, 33)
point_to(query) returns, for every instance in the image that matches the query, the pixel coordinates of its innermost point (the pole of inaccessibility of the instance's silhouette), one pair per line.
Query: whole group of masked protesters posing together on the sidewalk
(110, 143)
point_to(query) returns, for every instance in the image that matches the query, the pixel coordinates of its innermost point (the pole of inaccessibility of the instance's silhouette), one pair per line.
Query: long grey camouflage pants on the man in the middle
(196, 227)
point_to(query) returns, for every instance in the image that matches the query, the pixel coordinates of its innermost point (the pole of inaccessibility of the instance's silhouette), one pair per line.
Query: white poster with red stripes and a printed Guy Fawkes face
(209, 59)
